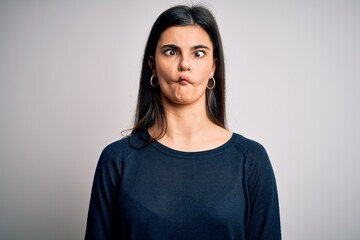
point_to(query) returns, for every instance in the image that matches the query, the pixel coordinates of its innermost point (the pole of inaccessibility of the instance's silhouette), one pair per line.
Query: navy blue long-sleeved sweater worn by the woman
(156, 193)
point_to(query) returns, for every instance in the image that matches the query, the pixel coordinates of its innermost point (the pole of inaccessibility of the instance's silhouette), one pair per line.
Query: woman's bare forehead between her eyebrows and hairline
(184, 36)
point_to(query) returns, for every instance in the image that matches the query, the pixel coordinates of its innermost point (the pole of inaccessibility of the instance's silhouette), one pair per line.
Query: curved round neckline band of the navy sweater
(192, 154)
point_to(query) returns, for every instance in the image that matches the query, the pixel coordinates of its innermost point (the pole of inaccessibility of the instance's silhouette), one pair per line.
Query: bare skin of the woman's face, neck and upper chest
(183, 64)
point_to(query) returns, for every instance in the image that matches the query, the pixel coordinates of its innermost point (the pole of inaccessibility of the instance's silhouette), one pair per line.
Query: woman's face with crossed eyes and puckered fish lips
(183, 64)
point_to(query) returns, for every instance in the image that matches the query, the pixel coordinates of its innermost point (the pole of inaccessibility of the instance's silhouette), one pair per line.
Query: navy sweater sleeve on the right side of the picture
(263, 213)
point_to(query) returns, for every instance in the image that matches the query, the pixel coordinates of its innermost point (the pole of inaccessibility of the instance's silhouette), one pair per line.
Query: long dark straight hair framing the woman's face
(149, 108)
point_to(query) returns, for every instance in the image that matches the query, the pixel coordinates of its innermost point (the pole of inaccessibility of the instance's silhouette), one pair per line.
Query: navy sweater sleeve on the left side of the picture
(101, 216)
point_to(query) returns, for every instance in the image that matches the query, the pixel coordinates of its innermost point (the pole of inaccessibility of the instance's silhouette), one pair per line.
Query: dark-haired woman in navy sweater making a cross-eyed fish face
(181, 174)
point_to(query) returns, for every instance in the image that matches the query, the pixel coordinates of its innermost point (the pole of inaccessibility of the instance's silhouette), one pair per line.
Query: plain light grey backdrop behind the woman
(69, 75)
